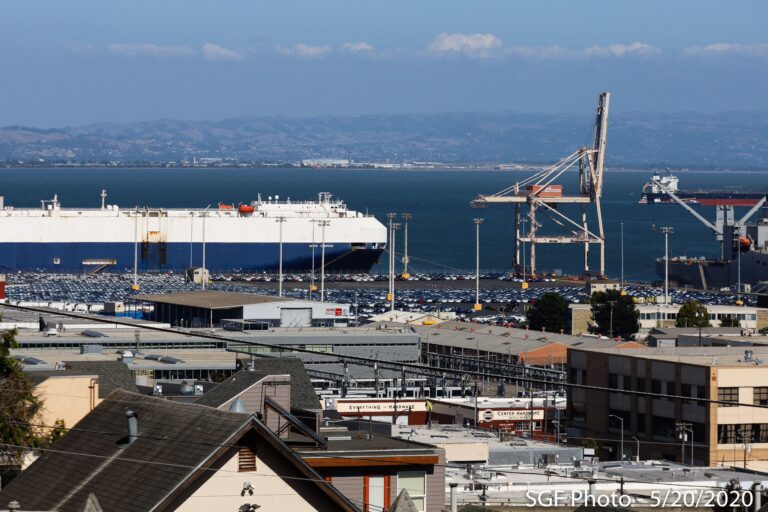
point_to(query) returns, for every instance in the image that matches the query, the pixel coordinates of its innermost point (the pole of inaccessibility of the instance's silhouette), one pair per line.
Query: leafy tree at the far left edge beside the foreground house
(18, 404)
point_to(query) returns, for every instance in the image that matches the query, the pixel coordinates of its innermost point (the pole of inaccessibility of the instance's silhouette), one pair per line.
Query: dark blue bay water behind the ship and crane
(441, 231)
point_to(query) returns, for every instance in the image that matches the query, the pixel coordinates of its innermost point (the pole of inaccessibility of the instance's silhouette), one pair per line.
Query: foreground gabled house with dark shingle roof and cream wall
(134, 452)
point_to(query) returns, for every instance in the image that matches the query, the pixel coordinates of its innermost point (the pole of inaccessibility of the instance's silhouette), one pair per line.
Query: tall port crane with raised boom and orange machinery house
(542, 194)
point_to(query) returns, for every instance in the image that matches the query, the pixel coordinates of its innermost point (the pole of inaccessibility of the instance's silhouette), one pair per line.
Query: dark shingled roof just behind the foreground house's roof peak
(303, 394)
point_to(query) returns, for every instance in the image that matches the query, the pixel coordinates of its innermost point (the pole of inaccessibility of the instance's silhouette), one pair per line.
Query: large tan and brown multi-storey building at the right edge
(681, 429)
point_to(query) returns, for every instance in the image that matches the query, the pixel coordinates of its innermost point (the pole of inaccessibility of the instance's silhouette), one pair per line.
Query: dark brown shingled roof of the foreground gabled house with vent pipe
(177, 442)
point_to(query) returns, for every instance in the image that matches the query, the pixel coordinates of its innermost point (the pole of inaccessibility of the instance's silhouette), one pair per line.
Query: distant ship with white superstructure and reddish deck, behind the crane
(652, 193)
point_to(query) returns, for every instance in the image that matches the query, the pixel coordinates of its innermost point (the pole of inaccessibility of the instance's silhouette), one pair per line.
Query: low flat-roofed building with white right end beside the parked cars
(243, 311)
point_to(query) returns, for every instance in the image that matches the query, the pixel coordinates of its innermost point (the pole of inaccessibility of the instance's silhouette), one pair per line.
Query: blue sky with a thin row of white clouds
(80, 62)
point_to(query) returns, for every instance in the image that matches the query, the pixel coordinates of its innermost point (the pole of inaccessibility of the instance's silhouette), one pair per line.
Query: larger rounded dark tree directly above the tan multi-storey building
(614, 314)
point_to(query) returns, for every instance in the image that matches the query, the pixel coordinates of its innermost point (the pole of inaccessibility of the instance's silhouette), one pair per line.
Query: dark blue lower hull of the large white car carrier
(163, 257)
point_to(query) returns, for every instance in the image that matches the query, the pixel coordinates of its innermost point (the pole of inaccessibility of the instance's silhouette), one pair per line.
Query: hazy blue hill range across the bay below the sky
(734, 139)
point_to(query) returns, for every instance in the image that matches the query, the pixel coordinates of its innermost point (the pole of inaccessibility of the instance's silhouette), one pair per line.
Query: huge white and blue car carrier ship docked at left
(235, 238)
